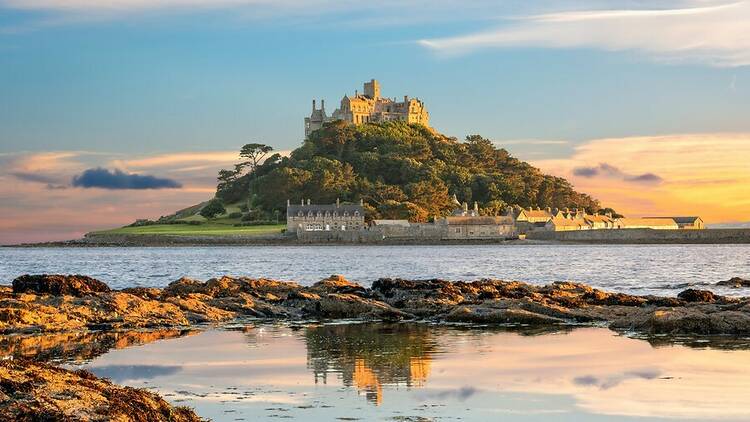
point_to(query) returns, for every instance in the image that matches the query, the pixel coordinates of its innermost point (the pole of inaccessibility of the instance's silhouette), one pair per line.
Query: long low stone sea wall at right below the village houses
(637, 236)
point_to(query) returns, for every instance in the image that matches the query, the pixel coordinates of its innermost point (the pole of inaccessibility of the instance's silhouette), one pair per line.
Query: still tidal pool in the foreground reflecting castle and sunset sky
(419, 372)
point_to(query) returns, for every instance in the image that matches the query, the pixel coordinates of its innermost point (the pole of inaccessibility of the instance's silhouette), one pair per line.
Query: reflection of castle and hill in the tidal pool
(369, 356)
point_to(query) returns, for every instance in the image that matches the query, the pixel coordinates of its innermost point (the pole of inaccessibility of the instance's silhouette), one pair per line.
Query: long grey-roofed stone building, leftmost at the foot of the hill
(333, 217)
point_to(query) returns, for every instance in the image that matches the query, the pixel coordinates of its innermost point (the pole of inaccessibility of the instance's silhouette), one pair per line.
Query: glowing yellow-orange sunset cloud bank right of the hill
(700, 174)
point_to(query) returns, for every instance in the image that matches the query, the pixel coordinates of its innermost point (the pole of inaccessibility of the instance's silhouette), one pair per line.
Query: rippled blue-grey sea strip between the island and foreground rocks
(642, 269)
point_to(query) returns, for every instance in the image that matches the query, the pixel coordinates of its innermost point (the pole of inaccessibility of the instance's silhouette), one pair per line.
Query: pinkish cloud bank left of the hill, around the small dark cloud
(30, 181)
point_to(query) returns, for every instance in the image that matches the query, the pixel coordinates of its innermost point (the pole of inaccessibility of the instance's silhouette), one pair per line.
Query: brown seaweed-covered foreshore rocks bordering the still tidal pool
(74, 307)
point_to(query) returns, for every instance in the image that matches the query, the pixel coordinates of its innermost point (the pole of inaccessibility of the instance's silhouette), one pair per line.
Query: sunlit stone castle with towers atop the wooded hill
(369, 107)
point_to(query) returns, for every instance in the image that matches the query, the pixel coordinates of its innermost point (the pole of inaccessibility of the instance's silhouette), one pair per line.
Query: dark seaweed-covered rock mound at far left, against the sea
(58, 285)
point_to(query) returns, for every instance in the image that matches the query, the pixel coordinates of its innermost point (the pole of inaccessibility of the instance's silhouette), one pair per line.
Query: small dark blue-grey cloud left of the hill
(117, 179)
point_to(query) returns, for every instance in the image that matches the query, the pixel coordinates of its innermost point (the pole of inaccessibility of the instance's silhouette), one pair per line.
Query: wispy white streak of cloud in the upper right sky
(708, 31)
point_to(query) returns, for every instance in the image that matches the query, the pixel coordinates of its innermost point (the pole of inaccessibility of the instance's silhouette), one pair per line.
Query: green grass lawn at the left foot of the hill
(207, 229)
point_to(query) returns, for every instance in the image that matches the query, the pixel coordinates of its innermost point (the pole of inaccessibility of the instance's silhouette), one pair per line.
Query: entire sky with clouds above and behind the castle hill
(112, 110)
